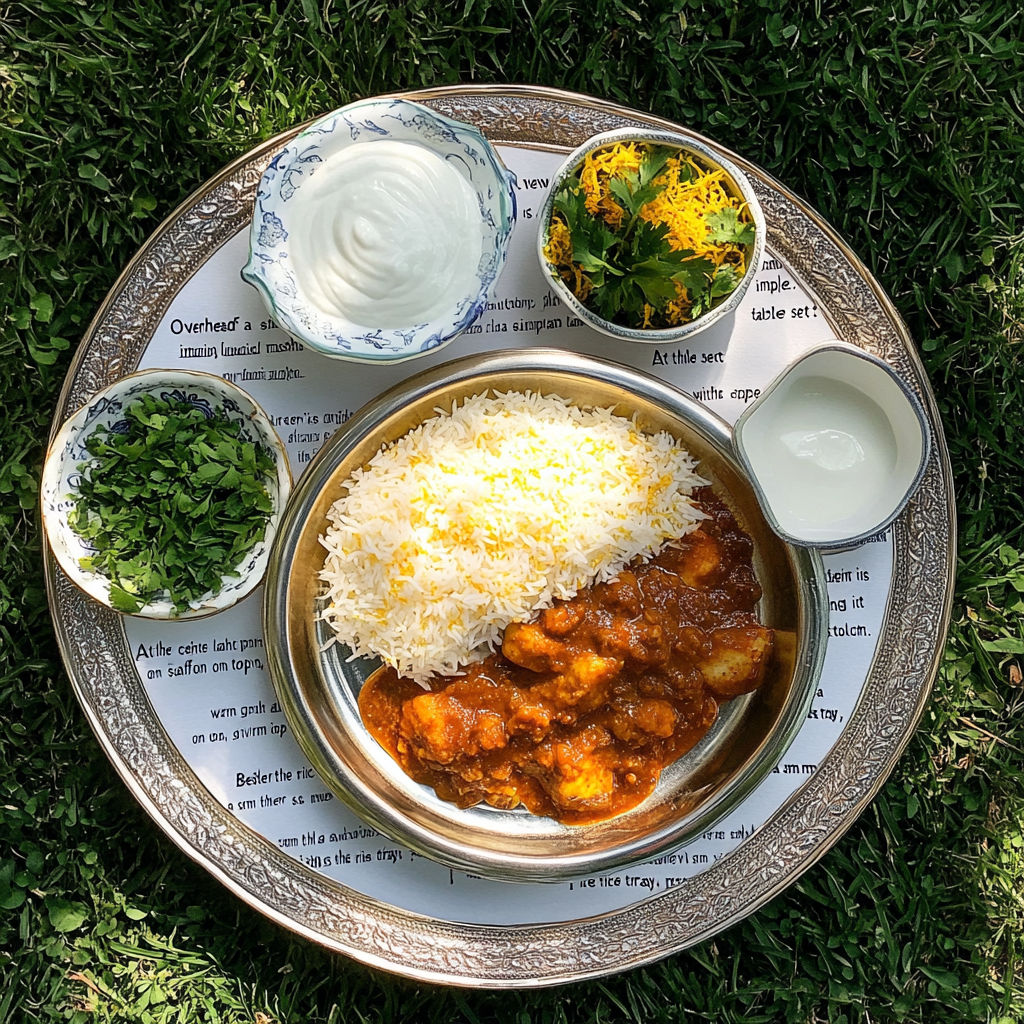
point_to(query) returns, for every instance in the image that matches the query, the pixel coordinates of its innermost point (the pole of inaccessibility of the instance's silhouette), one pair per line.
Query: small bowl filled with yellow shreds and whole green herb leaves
(651, 236)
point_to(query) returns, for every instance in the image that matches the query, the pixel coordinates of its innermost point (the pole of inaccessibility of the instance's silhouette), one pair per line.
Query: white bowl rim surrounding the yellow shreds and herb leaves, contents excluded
(706, 155)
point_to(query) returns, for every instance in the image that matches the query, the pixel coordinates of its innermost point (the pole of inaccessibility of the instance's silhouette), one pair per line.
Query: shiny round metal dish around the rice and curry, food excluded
(320, 690)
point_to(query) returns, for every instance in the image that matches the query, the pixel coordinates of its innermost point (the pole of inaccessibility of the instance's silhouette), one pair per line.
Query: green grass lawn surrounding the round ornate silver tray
(901, 121)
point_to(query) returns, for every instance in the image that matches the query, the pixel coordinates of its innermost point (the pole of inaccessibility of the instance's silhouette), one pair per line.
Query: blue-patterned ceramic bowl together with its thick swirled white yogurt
(379, 232)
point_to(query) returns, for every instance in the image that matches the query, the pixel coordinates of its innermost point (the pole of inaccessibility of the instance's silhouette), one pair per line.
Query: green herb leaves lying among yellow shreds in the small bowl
(633, 267)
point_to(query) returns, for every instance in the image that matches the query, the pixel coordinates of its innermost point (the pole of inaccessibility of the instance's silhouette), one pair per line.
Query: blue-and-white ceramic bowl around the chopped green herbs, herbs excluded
(68, 454)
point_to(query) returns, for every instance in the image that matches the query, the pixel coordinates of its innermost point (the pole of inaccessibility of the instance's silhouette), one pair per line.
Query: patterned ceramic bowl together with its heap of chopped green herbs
(161, 496)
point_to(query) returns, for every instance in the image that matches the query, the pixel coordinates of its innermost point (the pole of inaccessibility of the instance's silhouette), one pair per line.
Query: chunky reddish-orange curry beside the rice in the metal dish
(584, 707)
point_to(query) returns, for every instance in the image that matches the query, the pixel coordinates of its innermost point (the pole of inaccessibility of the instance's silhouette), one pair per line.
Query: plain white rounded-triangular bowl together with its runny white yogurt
(836, 447)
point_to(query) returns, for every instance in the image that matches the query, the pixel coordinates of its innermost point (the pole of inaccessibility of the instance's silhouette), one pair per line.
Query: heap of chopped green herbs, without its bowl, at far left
(173, 501)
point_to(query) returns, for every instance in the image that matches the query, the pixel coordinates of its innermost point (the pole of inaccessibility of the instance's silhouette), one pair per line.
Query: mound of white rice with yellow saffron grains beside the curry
(485, 516)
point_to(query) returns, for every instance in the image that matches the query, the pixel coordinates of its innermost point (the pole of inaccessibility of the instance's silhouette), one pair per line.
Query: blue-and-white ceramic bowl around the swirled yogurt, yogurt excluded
(365, 123)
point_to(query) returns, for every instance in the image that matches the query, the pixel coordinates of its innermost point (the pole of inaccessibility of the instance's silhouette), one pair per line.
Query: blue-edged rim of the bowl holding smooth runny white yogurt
(842, 543)
